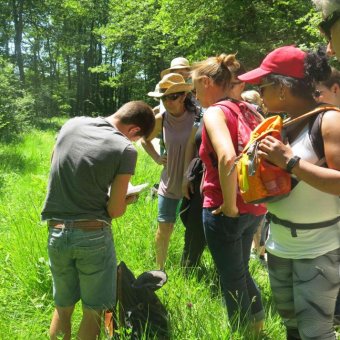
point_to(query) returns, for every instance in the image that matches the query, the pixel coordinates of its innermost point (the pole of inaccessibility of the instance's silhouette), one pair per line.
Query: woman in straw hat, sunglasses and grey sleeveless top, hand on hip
(174, 125)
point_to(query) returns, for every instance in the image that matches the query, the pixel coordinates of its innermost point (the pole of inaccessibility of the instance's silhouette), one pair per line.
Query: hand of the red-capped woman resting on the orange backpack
(275, 151)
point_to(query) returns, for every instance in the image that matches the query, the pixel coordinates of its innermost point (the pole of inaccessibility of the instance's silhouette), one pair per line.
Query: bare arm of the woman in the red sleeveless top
(216, 126)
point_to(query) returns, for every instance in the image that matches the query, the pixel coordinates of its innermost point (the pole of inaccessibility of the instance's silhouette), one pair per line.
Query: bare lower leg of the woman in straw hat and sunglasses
(162, 239)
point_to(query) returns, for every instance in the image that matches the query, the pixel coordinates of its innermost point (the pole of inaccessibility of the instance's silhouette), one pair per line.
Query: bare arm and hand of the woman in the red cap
(323, 179)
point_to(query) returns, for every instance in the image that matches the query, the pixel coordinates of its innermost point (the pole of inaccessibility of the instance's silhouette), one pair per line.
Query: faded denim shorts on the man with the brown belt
(83, 266)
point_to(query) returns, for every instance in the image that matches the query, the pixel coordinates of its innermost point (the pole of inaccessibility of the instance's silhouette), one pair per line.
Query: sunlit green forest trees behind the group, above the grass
(88, 57)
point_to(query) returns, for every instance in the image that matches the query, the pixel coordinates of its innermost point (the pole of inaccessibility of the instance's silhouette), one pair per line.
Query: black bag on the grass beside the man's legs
(139, 308)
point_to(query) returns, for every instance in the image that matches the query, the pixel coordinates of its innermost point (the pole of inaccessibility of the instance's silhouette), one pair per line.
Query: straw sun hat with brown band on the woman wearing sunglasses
(170, 83)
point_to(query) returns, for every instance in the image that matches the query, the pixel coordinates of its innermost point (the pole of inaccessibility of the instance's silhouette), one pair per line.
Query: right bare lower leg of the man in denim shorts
(90, 324)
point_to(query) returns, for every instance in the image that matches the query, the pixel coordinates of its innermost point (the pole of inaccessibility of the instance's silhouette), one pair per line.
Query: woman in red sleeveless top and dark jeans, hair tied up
(229, 223)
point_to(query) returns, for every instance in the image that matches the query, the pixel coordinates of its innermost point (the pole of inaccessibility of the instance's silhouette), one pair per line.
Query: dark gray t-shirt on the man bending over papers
(88, 154)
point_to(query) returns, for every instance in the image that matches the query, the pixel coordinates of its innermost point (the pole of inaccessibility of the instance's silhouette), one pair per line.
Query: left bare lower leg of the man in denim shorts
(61, 323)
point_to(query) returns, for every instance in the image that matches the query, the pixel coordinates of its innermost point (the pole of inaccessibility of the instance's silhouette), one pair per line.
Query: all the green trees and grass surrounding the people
(65, 58)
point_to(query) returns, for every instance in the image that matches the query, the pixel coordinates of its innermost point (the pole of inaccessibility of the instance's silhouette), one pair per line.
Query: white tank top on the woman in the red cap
(304, 204)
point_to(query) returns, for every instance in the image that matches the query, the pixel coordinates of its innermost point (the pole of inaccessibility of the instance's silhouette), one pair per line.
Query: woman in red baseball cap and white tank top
(304, 241)
